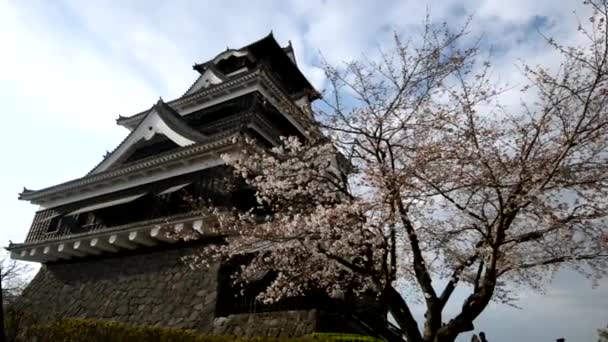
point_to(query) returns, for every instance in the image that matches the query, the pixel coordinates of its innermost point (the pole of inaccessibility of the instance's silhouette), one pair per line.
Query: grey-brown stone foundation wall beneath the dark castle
(149, 289)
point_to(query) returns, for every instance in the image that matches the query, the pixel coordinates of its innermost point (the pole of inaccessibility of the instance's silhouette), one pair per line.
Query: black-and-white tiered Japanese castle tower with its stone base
(98, 237)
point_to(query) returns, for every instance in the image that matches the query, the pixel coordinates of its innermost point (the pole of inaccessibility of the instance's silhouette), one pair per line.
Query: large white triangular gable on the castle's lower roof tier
(160, 119)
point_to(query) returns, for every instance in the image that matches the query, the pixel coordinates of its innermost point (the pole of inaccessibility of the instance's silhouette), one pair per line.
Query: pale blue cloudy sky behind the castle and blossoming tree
(69, 68)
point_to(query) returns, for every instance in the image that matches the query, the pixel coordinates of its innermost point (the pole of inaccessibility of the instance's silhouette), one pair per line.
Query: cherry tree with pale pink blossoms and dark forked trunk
(422, 181)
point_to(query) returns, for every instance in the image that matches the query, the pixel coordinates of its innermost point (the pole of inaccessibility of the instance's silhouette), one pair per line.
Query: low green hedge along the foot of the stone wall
(79, 330)
